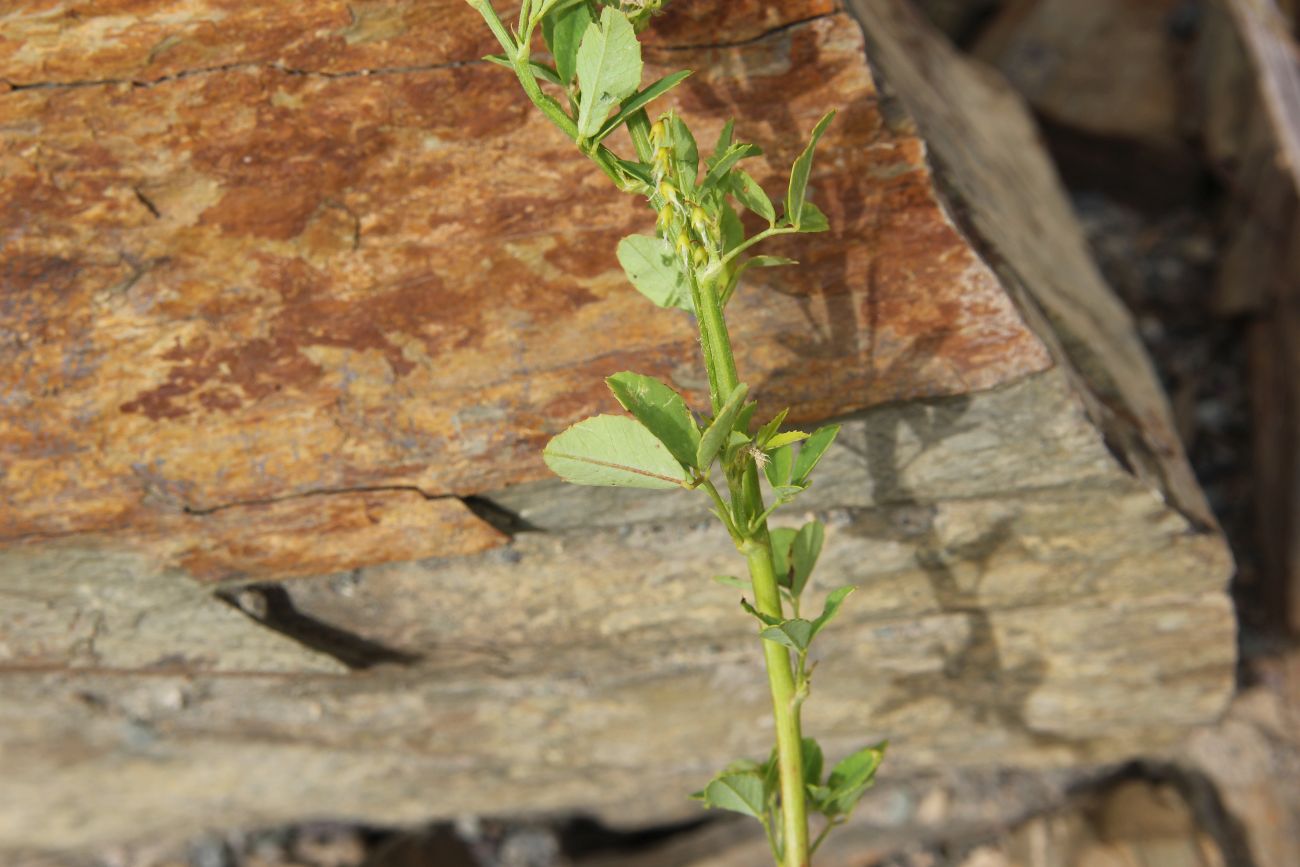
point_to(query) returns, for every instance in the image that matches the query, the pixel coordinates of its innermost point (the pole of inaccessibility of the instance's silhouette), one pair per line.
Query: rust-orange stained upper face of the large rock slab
(253, 284)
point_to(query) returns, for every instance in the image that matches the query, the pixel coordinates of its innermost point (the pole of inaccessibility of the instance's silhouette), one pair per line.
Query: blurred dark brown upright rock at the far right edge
(1250, 85)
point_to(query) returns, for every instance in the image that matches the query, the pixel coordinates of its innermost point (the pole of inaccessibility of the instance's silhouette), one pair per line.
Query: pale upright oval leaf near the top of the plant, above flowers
(609, 70)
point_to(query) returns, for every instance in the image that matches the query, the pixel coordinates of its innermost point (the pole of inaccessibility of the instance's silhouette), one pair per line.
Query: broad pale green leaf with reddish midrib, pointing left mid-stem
(614, 452)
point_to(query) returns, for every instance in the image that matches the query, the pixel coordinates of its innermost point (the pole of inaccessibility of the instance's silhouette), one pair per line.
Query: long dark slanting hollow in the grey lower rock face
(271, 606)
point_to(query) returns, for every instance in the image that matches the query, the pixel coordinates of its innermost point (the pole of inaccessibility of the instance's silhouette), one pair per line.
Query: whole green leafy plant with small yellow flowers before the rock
(695, 262)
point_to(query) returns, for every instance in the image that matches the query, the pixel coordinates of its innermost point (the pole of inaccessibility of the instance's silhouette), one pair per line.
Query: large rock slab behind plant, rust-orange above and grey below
(270, 315)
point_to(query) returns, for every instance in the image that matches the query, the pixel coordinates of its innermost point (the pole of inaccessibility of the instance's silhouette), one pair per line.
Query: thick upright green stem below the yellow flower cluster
(768, 597)
